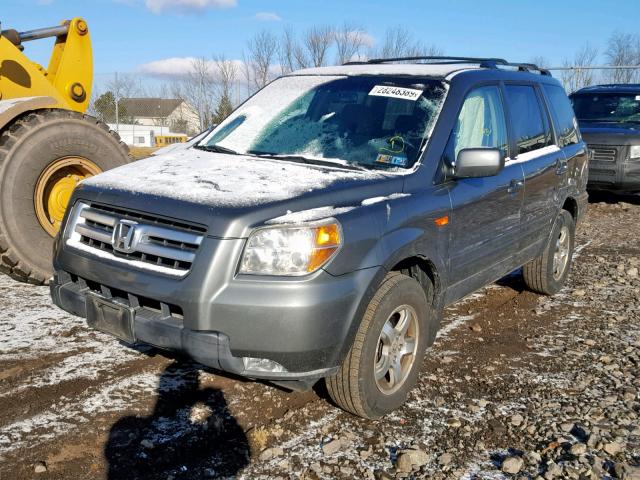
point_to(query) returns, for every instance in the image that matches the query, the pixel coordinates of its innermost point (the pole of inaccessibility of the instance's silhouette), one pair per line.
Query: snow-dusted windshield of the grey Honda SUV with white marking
(373, 122)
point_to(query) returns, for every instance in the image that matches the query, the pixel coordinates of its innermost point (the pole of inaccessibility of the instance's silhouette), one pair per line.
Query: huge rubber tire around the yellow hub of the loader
(27, 147)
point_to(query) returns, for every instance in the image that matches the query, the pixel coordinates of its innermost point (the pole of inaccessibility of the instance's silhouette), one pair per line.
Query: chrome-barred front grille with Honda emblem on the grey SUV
(148, 242)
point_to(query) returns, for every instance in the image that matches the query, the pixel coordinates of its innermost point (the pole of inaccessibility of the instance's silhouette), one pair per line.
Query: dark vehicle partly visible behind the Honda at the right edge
(609, 118)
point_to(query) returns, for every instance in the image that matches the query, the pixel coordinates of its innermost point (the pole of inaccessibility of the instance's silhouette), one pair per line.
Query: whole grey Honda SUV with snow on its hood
(320, 230)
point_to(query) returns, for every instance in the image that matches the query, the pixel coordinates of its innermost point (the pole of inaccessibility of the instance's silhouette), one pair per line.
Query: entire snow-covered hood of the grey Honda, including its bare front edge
(231, 194)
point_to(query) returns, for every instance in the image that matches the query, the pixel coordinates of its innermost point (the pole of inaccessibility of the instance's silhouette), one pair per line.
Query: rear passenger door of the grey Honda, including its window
(543, 164)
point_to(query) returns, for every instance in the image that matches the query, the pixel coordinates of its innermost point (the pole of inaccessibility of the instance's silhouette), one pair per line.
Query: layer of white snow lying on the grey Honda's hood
(221, 180)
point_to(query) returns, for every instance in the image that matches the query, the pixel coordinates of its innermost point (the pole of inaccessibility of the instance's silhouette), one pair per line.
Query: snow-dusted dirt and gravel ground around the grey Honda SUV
(516, 386)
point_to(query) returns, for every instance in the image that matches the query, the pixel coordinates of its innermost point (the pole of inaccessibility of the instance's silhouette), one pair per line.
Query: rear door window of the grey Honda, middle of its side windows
(530, 128)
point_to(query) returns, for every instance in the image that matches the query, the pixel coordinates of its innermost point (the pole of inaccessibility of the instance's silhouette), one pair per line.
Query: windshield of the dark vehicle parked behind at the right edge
(607, 107)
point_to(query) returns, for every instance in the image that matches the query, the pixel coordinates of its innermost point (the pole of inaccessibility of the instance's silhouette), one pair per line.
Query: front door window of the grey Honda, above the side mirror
(481, 123)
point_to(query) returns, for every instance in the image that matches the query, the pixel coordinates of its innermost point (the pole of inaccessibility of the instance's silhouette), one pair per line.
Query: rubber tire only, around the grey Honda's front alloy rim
(354, 387)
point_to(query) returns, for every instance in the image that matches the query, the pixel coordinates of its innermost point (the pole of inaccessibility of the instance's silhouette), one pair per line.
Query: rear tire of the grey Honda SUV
(540, 274)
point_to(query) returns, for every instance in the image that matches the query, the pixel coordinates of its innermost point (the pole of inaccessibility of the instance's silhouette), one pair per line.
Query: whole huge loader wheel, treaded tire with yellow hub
(43, 156)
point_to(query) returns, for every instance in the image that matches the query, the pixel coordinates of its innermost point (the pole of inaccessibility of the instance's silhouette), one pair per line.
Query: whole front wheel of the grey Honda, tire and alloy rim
(383, 364)
